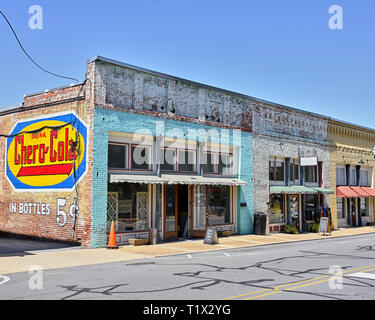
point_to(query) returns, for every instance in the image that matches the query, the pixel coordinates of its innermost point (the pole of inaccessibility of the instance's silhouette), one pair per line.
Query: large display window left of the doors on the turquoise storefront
(132, 207)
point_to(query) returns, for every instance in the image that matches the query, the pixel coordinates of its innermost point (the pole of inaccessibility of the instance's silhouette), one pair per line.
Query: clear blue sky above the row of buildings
(281, 51)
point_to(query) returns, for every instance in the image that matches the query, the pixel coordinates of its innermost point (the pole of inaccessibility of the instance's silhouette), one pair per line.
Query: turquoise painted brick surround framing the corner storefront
(109, 120)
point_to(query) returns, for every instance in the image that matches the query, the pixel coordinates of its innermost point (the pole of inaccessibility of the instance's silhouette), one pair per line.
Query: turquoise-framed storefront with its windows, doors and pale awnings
(177, 185)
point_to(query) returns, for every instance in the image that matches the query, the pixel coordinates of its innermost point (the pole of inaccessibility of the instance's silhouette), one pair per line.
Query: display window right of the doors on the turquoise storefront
(218, 205)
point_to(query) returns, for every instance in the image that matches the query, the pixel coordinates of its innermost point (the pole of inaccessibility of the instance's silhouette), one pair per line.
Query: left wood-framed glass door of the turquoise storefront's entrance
(170, 211)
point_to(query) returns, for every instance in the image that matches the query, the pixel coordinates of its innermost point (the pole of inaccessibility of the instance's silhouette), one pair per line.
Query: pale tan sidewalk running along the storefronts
(63, 258)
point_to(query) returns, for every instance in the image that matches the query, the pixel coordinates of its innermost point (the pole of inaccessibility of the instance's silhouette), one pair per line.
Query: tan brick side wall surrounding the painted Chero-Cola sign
(37, 225)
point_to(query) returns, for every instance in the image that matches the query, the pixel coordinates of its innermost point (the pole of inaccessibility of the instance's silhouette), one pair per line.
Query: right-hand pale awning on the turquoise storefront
(184, 179)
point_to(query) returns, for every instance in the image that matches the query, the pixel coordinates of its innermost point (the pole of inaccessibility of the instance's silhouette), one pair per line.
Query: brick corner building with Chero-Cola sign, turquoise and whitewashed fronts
(150, 150)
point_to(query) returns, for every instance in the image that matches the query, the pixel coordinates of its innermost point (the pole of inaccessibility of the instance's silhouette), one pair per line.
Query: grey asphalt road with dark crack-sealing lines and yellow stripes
(293, 271)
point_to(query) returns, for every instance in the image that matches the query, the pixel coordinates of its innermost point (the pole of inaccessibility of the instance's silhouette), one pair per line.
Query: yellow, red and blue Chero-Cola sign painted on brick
(47, 153)
